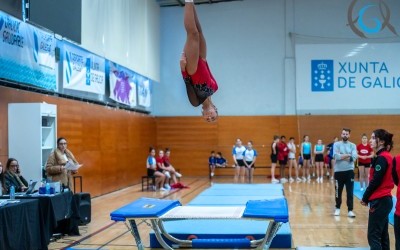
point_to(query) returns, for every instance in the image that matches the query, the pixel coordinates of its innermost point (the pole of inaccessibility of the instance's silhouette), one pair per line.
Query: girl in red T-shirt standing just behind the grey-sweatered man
(365, 154)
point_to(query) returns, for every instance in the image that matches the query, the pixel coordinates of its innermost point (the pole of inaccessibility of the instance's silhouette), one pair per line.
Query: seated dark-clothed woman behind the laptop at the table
(13, 178)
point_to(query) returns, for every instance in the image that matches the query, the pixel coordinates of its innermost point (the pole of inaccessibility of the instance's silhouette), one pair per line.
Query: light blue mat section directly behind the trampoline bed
(227, 200)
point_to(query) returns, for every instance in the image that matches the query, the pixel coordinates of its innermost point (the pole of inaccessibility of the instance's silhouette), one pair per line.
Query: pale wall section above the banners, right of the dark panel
(124, 31)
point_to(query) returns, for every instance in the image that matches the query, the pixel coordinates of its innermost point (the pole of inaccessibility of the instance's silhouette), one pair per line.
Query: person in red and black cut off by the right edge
(396, 177)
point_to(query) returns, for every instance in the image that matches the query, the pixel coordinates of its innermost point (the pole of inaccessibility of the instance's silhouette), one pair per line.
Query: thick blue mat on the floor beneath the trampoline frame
(224, 229)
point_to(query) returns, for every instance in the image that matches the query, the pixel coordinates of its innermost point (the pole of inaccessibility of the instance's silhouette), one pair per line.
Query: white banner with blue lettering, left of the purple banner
(82, 70)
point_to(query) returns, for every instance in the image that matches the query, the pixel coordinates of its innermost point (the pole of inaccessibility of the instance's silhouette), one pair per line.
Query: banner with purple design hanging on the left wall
(123, 85)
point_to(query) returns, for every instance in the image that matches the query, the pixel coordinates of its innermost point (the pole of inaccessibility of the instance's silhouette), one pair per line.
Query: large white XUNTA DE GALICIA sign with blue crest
(331, 78)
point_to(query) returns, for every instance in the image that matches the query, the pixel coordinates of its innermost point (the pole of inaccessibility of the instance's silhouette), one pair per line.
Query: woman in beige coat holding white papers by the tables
(55, 167)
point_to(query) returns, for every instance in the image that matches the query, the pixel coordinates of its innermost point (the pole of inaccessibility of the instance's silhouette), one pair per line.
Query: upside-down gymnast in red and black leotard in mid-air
(200, 83)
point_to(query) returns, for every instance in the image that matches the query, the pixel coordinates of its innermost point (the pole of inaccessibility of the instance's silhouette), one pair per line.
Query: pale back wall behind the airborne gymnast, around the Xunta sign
(251, 53)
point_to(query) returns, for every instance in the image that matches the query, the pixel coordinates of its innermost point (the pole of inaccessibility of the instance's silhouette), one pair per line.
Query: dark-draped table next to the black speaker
(56, 214)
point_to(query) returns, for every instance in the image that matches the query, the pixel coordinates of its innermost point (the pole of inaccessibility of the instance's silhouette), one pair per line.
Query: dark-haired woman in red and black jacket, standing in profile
(379, 192)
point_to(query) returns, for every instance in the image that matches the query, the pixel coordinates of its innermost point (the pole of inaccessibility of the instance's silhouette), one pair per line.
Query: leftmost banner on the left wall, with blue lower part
(26, 53)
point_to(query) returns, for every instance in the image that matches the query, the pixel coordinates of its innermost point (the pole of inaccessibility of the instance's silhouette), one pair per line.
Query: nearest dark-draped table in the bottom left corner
(20, 226)
